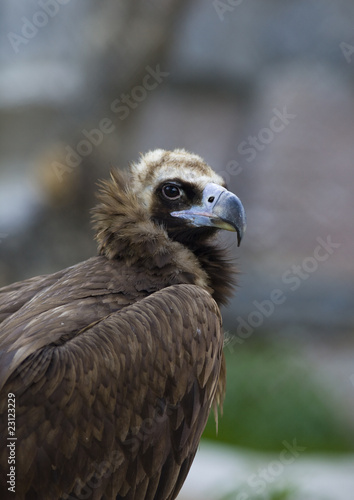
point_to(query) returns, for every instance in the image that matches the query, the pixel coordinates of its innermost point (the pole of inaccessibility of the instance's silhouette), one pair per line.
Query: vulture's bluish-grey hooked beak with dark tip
(219, 208)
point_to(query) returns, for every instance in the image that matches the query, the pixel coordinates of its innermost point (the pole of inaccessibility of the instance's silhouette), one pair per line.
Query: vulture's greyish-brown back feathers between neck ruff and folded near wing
(54, 308)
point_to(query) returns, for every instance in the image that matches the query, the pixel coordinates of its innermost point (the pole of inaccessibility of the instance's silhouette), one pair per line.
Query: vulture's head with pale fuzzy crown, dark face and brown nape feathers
(168, 194)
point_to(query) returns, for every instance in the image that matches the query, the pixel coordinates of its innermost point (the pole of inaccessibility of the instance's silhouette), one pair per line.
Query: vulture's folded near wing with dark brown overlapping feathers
(120, 408)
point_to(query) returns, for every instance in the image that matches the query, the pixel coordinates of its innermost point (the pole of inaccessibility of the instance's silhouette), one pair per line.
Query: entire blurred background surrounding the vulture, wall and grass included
(263, 91)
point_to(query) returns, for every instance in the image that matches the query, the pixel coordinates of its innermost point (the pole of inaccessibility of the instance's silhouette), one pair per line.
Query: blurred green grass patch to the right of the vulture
(272, 396)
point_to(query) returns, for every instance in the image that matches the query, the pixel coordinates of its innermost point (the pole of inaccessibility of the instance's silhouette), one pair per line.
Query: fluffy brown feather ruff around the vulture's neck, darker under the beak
(124, 231)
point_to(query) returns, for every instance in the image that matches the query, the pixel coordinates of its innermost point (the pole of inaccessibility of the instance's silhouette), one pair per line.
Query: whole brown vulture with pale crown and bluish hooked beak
(110, 368)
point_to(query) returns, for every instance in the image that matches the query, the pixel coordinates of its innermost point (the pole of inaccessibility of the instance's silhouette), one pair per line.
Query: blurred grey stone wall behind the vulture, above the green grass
(263, 90)
